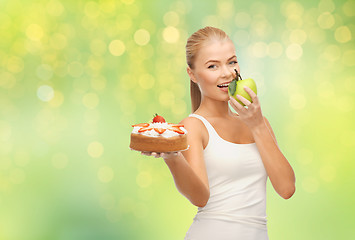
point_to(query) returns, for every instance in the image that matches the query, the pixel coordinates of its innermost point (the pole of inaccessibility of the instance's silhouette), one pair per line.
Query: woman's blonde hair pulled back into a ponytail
(193, 45)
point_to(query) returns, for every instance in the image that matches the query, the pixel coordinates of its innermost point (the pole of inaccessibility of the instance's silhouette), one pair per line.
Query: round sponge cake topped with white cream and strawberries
(158, 136)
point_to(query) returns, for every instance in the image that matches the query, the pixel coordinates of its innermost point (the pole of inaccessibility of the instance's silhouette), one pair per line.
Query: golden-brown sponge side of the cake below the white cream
(143, 143)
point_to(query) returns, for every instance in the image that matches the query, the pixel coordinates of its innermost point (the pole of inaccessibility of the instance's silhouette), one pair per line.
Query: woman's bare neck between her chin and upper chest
(212, 108)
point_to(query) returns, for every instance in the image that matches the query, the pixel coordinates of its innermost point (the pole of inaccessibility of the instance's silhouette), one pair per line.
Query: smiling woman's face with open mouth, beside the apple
(214, 69)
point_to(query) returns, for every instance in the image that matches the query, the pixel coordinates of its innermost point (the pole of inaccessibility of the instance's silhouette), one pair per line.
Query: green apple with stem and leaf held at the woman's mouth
(237, 87)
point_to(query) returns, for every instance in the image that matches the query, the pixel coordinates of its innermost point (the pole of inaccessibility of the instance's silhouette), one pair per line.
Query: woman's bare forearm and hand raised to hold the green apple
(276, 165)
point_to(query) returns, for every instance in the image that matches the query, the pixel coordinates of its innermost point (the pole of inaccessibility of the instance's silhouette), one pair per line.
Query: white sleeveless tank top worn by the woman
(237, 181)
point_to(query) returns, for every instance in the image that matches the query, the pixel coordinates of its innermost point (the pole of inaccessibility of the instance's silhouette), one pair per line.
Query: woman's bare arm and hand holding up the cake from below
(188, 167)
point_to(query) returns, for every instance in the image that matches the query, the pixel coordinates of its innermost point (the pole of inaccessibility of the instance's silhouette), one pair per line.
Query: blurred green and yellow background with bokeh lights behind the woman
(74, 76)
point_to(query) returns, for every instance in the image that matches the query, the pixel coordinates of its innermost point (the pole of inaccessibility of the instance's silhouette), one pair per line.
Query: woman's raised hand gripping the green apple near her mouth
(251, 114)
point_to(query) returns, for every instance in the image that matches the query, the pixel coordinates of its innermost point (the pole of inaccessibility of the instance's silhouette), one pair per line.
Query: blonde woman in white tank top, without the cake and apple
(225, 169)
